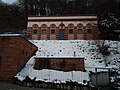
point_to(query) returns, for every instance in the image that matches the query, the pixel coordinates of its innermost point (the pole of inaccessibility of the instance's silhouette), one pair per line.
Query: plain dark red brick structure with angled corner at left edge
(15, 51)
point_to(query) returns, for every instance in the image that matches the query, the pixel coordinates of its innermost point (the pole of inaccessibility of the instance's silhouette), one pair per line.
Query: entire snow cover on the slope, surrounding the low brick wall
(87, 49)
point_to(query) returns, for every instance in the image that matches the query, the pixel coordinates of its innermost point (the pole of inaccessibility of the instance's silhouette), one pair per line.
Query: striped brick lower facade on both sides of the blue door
(74, 36)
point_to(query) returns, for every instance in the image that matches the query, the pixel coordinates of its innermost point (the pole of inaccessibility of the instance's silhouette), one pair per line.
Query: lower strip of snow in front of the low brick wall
(51, 75)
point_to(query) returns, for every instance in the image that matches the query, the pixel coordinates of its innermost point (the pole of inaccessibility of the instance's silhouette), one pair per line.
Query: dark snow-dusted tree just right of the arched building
(110, 26)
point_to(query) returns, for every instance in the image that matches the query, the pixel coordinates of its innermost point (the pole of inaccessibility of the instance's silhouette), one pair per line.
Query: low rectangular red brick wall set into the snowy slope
(62, 64)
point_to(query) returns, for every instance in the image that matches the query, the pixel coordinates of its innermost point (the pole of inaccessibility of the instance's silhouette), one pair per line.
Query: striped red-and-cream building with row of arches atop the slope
(63, 28)
